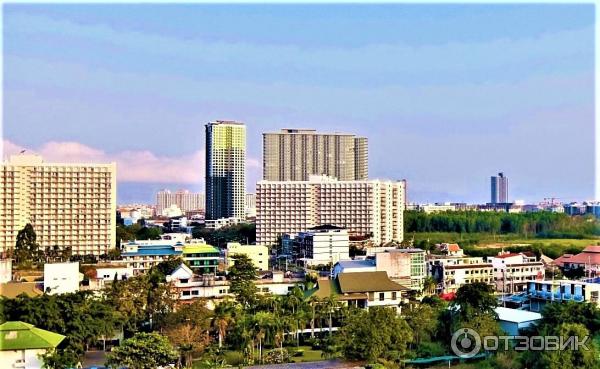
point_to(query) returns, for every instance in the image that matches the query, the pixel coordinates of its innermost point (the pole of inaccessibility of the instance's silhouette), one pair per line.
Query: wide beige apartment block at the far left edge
(68, 205)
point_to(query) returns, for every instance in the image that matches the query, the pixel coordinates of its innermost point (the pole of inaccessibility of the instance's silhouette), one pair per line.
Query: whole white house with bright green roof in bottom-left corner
(22, 344)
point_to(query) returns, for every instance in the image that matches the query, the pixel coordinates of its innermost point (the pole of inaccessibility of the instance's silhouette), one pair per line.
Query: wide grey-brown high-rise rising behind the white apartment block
(296, 154)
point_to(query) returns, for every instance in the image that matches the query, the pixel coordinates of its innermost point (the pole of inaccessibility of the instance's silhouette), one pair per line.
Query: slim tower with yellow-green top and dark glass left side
(225, 169)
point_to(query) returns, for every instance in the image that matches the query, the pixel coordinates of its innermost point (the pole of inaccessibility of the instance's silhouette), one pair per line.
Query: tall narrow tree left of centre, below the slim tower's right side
(242, 277)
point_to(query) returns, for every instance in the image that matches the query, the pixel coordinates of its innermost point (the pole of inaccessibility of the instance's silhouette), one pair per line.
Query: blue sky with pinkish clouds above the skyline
(447, 94)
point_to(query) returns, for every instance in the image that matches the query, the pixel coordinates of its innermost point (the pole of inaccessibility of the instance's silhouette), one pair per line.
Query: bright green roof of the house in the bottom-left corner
(17, 335)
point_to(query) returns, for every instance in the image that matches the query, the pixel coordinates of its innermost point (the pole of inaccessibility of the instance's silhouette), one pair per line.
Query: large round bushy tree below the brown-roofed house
(375, 333)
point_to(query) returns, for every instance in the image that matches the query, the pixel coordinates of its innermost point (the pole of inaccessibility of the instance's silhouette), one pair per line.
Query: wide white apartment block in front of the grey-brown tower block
(368, 208)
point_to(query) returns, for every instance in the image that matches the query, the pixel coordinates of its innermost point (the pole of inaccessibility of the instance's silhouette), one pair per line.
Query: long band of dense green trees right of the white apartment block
(540, 224)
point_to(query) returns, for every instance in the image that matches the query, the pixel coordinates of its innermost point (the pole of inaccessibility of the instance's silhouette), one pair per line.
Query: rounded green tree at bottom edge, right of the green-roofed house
(143, 351)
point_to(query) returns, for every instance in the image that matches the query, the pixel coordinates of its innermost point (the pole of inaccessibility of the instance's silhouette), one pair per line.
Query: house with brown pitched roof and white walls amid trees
(360, 289)
